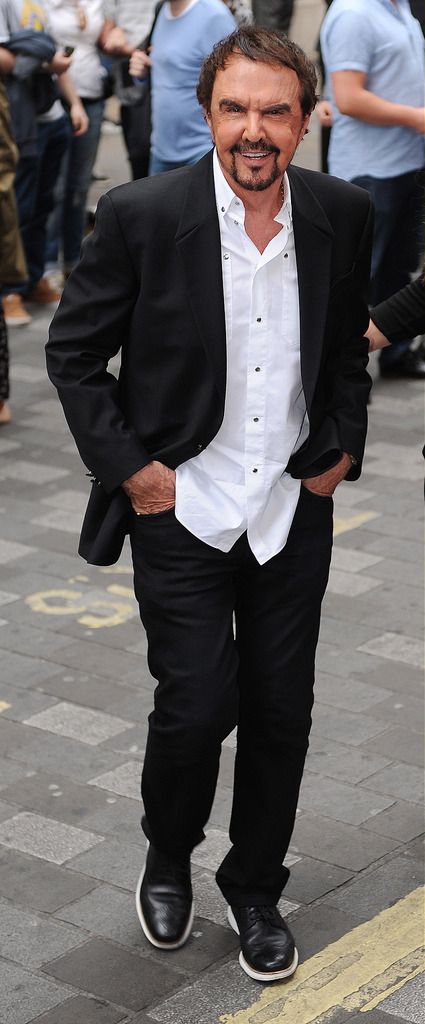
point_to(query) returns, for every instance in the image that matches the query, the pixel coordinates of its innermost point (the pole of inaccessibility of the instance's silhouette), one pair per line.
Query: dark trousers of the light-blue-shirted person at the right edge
(399, 237)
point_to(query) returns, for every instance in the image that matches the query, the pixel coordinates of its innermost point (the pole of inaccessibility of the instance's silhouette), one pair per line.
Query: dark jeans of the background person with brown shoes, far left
(34, 186)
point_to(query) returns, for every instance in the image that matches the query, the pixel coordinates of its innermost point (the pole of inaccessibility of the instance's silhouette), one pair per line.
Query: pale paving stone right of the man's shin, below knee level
(347, 764)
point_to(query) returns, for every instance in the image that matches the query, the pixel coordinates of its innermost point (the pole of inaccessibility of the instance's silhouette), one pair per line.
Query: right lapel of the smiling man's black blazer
(314, 237)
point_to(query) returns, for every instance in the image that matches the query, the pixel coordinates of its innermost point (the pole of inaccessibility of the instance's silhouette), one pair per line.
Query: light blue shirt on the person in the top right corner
(384, 40)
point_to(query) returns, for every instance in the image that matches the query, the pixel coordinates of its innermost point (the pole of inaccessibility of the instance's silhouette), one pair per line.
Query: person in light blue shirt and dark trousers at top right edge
(373, 53)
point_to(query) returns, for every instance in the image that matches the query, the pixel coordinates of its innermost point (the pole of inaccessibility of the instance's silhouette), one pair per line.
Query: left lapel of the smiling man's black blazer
(198, 241)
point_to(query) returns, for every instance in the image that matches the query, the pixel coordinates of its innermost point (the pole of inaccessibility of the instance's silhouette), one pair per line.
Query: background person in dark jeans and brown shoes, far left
(42, 131)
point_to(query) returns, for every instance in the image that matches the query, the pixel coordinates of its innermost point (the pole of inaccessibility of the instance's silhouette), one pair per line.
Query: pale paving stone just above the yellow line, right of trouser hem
(336, 843)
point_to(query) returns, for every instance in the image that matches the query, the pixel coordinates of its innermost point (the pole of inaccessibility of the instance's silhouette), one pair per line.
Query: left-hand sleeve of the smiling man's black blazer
(90, 328)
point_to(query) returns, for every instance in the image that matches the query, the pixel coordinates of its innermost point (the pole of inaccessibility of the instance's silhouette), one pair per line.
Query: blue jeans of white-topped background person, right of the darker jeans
(66, 228)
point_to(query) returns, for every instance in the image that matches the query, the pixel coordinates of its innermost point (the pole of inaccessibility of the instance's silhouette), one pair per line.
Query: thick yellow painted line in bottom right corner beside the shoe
(362, 967)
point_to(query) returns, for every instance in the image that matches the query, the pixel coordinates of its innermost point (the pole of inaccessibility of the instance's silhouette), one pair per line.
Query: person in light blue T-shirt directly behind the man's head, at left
(185, 34)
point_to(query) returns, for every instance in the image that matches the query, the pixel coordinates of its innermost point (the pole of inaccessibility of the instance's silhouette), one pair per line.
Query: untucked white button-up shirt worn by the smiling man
(239, 483)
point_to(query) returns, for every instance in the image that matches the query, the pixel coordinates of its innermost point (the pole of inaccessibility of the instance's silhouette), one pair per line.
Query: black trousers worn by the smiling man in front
(211, 677)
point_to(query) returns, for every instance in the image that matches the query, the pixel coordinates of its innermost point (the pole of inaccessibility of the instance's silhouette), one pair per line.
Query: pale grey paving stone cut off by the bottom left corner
(26, 996)
